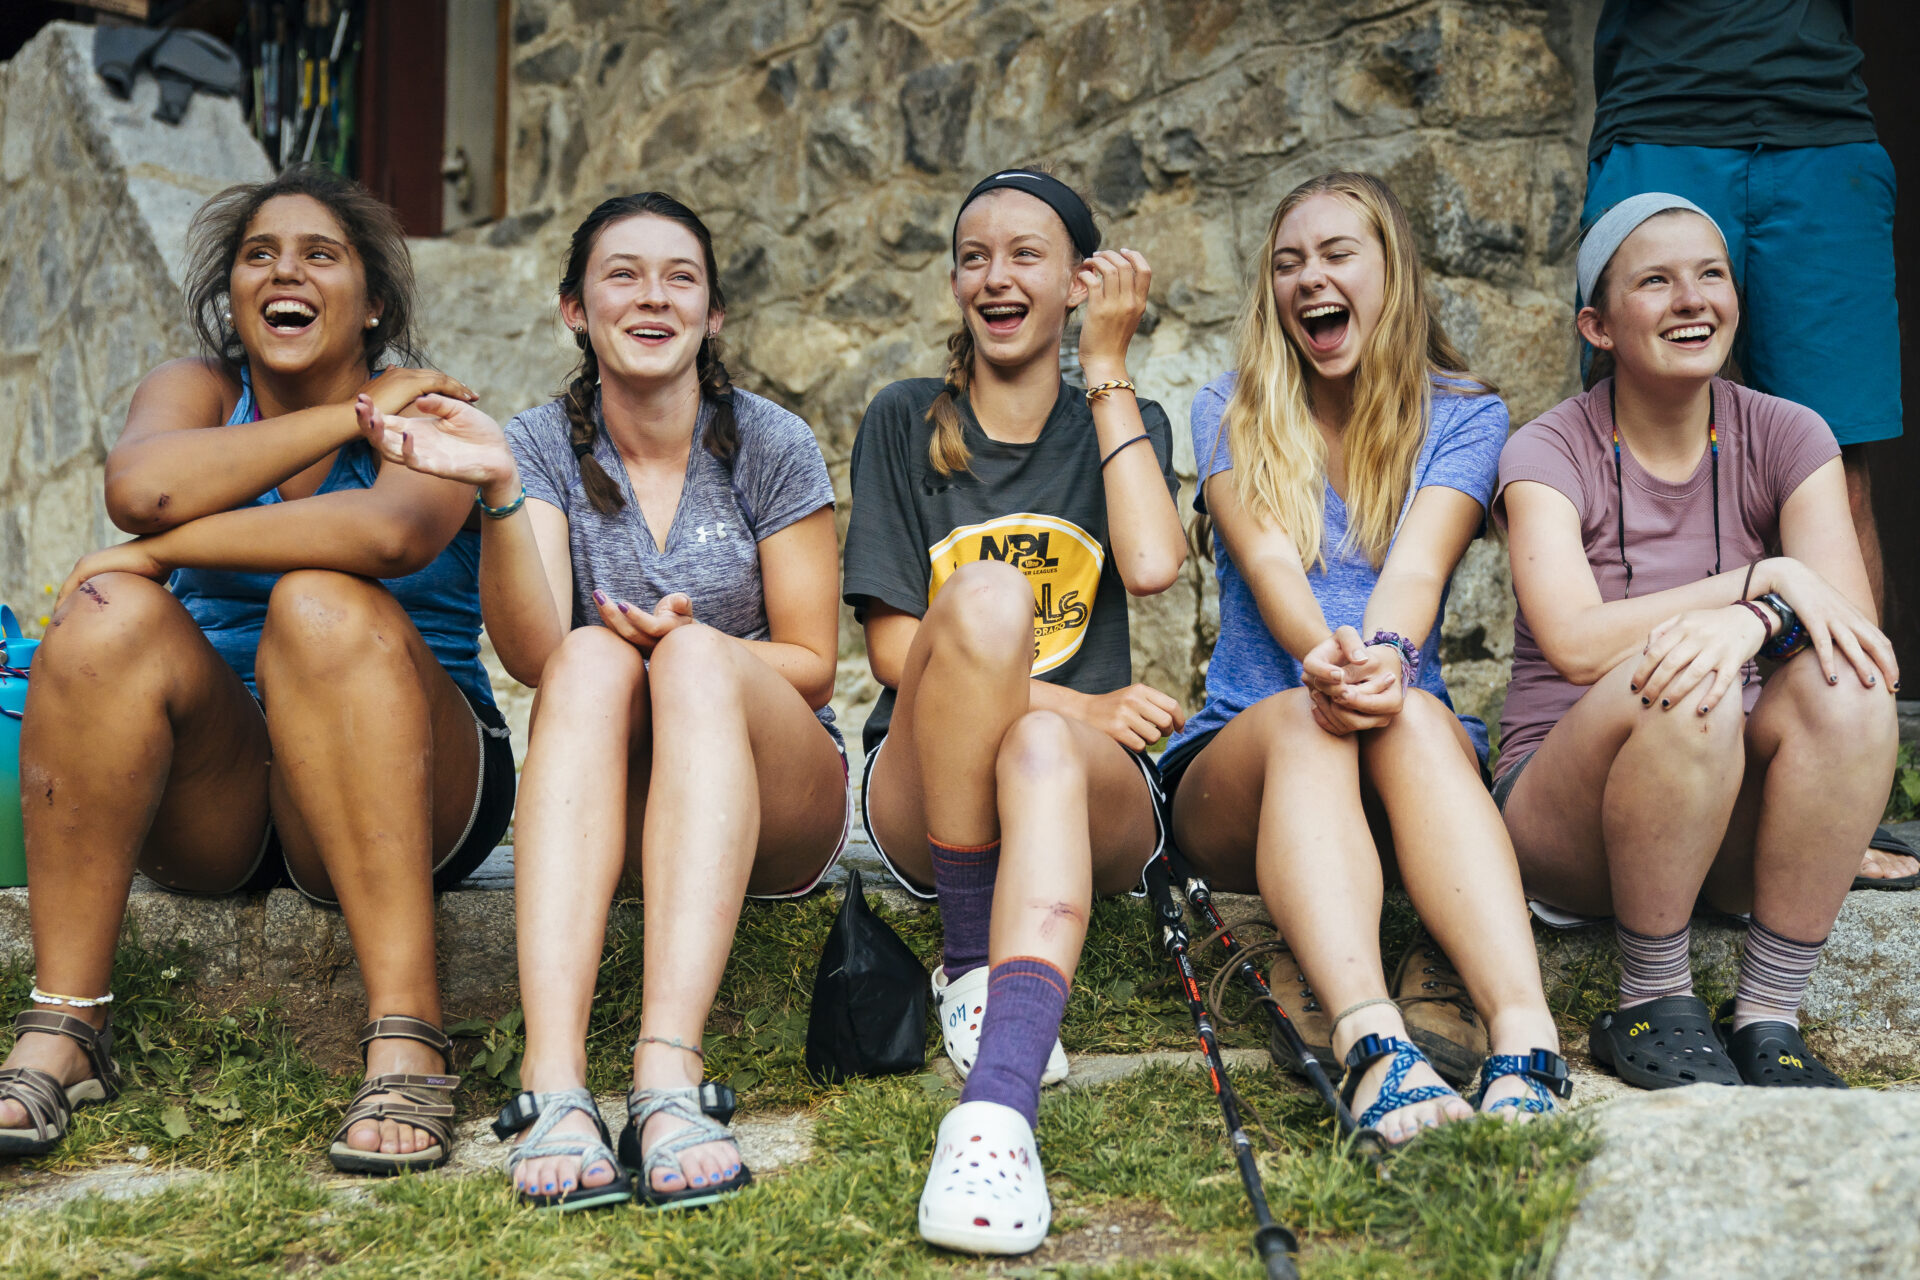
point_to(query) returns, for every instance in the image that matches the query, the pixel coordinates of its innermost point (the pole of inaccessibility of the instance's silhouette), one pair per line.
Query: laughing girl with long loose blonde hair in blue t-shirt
(1347, 463)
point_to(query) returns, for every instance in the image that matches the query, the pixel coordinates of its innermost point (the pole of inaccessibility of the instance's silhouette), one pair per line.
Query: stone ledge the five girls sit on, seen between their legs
(1869, 980)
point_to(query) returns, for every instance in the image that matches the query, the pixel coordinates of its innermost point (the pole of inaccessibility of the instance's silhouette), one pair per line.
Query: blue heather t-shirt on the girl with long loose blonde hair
(1462, 452)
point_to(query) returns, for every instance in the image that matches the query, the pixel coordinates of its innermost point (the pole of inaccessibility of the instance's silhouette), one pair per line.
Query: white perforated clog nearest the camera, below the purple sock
(986, 1191)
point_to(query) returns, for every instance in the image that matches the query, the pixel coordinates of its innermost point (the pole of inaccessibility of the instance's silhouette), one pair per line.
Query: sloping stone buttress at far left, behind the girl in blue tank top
(95, 201)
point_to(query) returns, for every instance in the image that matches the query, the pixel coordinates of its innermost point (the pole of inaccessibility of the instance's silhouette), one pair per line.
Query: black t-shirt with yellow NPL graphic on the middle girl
(1040, 508)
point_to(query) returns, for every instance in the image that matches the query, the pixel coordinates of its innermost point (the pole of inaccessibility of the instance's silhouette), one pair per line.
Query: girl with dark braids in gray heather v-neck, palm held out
(660, 563)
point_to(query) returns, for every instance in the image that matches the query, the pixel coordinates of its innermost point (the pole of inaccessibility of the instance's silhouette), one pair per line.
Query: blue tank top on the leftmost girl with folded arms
(443, 600)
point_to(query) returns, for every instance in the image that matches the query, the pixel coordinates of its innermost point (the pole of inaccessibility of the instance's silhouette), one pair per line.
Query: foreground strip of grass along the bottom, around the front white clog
(1470, 1200)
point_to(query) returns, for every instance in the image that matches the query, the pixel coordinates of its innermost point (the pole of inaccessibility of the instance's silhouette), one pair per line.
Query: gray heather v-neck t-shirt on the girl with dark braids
(711, 552)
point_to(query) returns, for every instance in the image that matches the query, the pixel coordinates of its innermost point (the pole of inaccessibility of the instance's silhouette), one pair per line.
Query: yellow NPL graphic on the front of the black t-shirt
(1061, 559)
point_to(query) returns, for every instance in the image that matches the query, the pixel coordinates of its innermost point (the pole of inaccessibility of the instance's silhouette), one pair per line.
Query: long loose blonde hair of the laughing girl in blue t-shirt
(1280, 458)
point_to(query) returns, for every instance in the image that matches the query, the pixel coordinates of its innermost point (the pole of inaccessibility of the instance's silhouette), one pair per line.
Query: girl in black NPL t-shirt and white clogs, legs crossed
(997, 517)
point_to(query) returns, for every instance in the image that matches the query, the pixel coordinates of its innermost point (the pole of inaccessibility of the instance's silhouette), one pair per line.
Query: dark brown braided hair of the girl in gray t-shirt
(583, 392)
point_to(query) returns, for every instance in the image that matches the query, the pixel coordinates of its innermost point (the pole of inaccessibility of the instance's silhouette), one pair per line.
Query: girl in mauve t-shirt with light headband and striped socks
(1668, 529)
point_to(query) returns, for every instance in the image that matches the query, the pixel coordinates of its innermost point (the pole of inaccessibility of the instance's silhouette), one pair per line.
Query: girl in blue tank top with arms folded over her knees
(306, 705)
